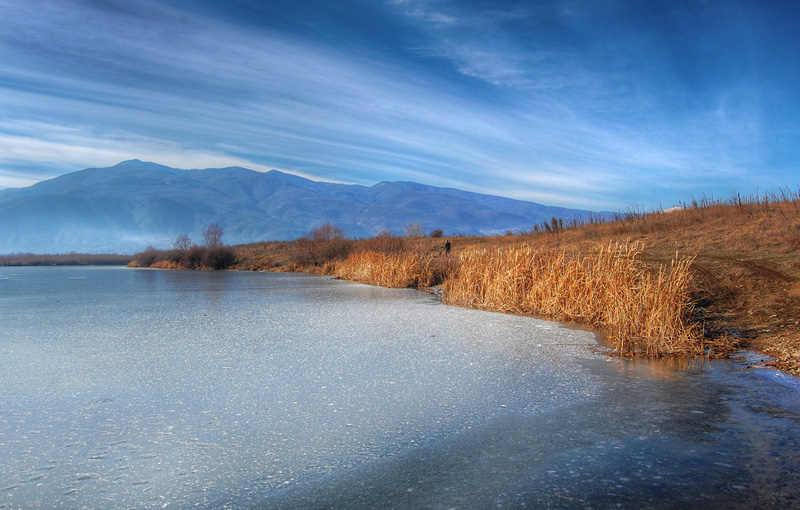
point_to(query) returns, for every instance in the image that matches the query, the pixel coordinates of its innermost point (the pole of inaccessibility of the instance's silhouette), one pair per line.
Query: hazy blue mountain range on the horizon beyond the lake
(131, 205)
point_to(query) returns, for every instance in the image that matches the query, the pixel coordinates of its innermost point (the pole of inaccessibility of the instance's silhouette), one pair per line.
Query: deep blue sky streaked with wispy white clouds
(591, 104)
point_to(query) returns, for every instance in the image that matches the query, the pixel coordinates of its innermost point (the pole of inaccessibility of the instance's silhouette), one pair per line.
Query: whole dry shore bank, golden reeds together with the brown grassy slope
(727, 270)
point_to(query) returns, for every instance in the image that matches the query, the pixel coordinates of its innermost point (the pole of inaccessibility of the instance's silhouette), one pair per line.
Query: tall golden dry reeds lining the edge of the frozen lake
(642, 309)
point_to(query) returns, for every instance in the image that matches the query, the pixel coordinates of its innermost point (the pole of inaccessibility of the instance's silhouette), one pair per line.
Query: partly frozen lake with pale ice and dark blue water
(124, 388)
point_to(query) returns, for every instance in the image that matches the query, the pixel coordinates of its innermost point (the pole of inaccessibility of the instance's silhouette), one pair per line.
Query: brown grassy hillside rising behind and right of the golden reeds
(746, 268)
